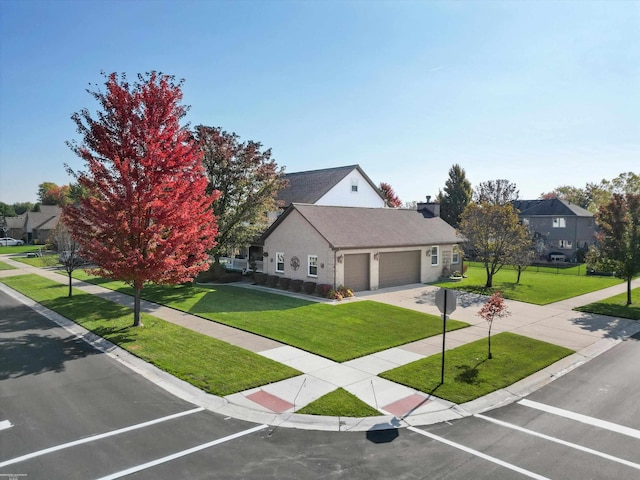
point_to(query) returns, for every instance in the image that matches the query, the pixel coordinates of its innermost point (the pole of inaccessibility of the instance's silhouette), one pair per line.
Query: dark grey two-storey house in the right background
(560, 228)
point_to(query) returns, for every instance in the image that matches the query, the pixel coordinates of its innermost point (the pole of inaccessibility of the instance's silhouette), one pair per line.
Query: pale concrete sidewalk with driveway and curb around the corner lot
(275, 404)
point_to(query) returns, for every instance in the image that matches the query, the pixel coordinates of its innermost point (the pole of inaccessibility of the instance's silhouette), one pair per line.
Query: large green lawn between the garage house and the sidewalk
(338, 332)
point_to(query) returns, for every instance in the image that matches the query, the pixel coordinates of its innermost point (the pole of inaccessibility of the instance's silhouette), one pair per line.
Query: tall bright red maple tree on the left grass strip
(145, 216)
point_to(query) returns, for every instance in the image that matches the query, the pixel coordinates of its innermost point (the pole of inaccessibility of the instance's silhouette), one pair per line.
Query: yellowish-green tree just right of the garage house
(493, 235)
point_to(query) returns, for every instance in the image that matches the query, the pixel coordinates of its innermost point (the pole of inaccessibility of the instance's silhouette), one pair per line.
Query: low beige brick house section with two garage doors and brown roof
(361, 248)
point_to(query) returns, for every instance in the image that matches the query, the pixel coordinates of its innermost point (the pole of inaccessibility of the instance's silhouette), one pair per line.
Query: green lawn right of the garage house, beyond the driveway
(535, 287)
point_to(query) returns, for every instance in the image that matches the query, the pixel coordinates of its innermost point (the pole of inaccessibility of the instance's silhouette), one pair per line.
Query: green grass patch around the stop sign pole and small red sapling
(468, 372)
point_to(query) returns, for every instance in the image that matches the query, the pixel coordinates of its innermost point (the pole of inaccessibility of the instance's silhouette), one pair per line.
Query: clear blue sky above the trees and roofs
(542, 93)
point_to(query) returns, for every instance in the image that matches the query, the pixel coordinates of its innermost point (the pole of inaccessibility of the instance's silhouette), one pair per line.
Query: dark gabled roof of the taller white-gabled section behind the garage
(311, 186)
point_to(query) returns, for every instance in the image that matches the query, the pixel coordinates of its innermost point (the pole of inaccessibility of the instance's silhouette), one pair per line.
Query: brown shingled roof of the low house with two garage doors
(358, 227)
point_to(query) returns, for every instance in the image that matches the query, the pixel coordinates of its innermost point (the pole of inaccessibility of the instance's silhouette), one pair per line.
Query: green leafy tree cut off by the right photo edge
(618, 237)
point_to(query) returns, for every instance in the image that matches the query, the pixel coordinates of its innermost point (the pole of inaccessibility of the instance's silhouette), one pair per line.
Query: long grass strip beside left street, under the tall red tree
(207, 363)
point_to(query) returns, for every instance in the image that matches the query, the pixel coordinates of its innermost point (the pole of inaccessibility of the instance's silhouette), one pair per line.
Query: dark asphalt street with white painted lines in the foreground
(70, 412)
